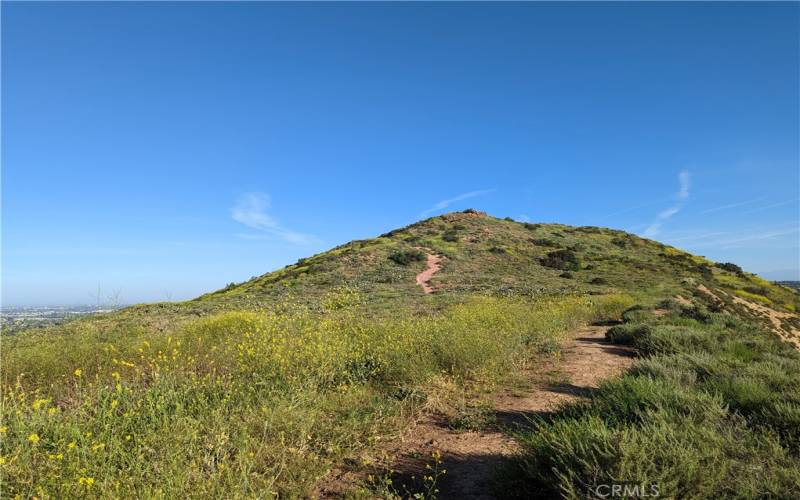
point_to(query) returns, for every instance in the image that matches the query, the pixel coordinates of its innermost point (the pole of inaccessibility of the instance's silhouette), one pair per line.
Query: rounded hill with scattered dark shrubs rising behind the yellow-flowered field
(489, 256)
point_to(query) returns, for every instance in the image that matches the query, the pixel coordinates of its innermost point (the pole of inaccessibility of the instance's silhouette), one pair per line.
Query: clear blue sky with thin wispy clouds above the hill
(168, 149)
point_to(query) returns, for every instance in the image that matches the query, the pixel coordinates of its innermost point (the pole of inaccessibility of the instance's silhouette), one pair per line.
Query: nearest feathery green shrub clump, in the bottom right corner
(570, 458)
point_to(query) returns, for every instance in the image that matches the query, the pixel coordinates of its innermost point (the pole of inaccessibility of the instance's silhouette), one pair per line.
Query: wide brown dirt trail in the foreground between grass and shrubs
(471, 458)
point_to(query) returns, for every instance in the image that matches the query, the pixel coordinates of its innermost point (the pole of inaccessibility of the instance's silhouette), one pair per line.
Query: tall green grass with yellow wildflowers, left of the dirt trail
(247, 404)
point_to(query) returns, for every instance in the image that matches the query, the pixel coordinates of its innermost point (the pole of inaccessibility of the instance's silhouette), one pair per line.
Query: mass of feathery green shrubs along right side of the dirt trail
(711, 411)
